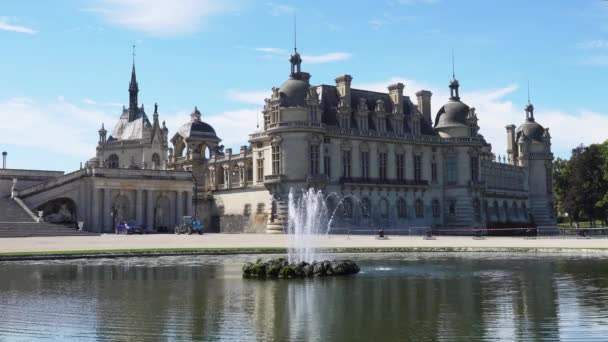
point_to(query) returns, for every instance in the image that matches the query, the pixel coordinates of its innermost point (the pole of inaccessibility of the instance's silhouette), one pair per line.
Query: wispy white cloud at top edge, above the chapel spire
(160, 17)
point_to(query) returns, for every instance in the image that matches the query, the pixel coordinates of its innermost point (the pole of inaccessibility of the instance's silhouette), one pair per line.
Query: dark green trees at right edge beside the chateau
(580, 185)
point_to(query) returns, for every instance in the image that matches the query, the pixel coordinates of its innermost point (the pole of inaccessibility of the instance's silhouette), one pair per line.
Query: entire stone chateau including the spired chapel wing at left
(382, 159)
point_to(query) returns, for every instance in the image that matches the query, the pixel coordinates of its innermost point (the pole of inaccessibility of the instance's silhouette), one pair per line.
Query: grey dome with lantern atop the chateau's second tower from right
(453, 119)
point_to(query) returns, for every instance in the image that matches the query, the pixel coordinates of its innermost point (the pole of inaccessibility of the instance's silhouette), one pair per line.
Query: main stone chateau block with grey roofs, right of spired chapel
(387, 161)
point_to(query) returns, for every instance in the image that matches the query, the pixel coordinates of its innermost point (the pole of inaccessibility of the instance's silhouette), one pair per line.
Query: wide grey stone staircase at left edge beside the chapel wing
(15, 222)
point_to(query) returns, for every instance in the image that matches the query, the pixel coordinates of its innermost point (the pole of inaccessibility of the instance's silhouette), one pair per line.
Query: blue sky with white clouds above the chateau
(66, 64)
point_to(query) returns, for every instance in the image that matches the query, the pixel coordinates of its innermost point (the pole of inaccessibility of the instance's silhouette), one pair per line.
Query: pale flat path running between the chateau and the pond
(156, 241)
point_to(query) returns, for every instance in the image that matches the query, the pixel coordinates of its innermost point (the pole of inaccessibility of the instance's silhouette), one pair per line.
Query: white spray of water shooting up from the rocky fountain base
(308, 218)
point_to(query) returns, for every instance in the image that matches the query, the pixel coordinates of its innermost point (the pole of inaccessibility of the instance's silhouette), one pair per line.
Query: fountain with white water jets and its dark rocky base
(308, 220)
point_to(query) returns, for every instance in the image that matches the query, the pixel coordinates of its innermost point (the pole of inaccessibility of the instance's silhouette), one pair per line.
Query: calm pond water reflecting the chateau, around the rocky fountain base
(413, 297)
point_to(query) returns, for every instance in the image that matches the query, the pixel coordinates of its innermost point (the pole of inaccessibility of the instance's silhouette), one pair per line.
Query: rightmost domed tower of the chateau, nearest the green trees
(533, 152)
